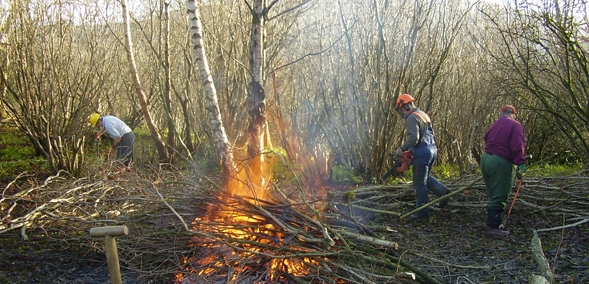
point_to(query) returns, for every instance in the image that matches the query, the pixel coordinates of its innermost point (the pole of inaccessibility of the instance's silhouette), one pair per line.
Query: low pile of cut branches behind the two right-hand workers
(563, 193)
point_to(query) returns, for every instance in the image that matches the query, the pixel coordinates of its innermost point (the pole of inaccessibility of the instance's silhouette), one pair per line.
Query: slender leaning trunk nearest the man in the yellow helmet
(159, 144)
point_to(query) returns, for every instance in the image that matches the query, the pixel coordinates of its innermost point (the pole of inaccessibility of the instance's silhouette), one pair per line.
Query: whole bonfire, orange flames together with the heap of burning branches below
(253, 233)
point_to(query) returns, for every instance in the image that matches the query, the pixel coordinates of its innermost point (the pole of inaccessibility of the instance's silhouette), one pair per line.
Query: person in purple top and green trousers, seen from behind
(504, 158)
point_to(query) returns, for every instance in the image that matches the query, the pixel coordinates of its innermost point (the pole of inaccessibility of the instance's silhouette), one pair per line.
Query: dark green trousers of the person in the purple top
(498, 174)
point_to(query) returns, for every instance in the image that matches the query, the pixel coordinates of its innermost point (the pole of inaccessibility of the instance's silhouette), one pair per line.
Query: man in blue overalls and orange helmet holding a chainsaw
(421, 144)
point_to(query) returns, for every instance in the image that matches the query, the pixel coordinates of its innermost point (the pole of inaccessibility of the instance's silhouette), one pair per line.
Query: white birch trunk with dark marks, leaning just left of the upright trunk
(221, 142)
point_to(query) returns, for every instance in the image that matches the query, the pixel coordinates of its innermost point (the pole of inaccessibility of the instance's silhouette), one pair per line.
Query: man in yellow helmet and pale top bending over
(121, 134)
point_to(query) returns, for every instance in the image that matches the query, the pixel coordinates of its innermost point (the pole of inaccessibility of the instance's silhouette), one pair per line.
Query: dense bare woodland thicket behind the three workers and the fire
(331, 71)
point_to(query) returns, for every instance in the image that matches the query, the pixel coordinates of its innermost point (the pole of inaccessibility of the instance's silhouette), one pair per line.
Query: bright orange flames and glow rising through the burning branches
(254, 232)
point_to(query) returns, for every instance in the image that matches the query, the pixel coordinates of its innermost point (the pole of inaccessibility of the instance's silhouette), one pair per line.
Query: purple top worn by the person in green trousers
(505, 138)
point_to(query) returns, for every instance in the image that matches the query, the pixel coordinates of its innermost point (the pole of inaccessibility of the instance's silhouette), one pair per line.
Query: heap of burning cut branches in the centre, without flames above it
(291, 243)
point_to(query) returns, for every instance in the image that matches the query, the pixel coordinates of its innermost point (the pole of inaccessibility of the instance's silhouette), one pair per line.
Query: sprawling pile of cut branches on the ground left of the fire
(63, 209)
